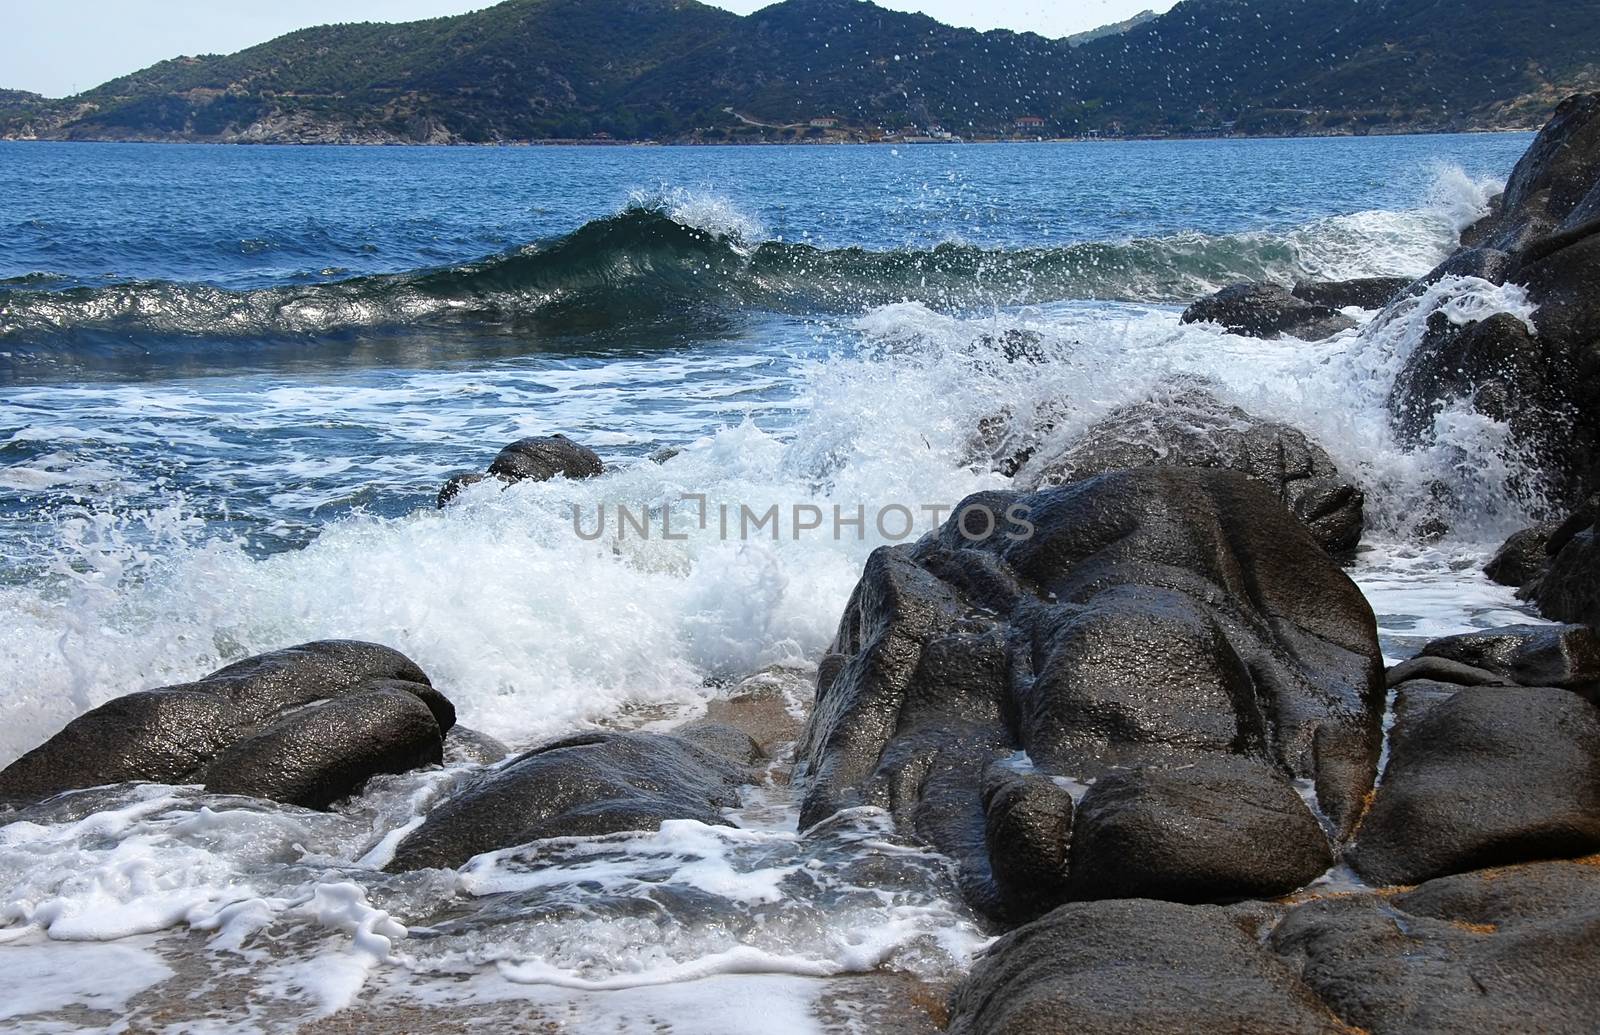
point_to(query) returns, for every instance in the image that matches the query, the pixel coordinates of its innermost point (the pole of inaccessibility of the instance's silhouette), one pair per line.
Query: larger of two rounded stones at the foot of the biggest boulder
(1214, 831)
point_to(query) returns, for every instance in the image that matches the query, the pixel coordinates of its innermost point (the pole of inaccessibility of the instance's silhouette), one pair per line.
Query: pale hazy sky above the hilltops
(62, 47)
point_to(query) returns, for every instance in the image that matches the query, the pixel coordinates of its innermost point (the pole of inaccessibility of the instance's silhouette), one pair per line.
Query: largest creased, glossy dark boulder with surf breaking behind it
(1153, 618)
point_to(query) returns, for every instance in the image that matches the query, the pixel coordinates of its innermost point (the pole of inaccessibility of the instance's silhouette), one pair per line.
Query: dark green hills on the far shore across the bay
(846, 70)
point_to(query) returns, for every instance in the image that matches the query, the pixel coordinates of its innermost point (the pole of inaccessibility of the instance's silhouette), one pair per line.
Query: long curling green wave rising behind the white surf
(663, 260)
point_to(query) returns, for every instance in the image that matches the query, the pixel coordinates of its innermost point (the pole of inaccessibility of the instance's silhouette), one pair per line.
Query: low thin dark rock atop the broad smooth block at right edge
(1567, 657)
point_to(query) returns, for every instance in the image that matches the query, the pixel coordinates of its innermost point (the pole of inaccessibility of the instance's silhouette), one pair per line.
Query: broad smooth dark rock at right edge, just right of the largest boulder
(1492, 777)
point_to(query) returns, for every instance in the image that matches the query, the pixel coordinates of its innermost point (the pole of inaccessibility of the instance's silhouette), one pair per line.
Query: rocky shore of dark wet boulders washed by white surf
(1154, 738)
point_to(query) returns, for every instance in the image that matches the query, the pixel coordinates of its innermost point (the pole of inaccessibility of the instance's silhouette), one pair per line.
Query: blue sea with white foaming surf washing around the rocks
(233, 382)
